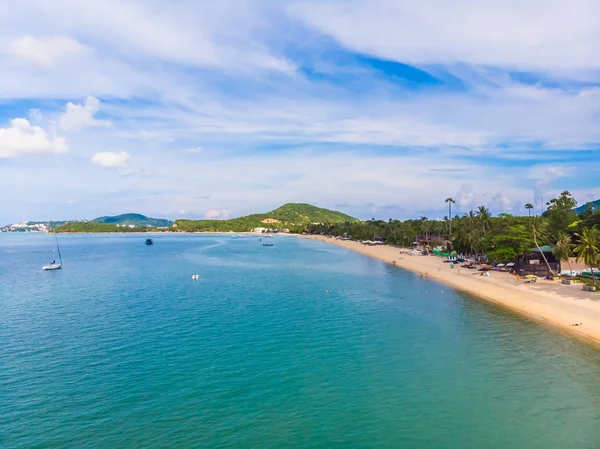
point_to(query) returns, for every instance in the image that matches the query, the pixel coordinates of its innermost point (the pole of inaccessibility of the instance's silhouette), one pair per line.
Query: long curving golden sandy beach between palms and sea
(549, 301)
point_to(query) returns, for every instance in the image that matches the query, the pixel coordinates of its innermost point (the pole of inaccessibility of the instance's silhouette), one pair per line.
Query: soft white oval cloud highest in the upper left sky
(46, 51)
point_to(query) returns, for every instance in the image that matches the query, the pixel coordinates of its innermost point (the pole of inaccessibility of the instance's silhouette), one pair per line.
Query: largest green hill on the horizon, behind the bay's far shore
(293, 216)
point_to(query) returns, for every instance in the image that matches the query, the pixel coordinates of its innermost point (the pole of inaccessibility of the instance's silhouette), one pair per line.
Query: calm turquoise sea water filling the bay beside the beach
(122, 349)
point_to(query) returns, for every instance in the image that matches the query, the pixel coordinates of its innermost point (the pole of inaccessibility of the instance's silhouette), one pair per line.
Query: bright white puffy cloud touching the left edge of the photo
(22, 138)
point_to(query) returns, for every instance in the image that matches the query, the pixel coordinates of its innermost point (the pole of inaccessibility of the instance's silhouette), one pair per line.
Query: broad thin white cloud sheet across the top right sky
(503, 34)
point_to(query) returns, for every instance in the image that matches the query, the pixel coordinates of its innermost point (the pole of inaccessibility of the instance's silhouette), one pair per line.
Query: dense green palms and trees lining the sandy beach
(502, 238)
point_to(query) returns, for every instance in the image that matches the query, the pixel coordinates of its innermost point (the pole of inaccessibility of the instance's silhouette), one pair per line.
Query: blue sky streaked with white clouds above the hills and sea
(376, 108)
